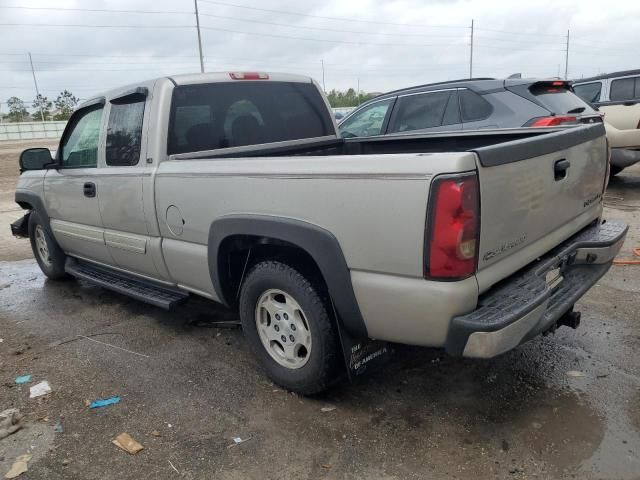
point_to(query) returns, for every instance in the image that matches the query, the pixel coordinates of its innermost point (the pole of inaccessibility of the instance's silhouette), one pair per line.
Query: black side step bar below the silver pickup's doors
(140, 289)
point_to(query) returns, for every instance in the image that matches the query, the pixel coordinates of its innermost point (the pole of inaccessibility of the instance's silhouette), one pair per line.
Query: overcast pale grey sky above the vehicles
(380, 44)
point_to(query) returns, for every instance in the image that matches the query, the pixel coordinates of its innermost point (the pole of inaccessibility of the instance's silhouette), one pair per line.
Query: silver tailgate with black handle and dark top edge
(536, 193)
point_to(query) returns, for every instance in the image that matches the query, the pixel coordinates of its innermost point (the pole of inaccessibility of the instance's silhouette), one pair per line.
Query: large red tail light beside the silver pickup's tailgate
(453, 227)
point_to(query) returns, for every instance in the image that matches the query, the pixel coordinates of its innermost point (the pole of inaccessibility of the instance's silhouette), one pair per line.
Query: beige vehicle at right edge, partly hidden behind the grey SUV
(617, 95)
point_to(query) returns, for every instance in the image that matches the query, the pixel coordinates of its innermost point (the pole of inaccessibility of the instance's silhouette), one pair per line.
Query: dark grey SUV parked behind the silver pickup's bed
(469, 105)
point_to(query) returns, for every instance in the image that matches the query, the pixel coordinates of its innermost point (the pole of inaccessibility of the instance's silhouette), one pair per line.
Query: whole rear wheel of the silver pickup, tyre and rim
(289, 329)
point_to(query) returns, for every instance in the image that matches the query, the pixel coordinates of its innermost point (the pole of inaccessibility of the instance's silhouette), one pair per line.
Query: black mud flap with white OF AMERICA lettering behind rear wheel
(361, 355)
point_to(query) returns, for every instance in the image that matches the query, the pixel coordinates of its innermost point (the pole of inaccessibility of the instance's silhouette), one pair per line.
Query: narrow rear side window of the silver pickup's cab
(124, 131)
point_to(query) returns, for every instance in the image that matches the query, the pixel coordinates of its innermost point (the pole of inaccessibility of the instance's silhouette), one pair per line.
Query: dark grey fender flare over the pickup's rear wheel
(319, 244)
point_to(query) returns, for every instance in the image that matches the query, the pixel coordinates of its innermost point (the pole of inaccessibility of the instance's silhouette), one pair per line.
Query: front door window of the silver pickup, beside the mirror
(80, 145)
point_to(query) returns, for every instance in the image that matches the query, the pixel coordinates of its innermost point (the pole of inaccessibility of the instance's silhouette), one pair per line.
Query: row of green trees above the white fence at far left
(64, 105)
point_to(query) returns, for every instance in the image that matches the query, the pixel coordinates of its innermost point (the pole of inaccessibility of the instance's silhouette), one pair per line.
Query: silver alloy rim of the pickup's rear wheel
(283, 328)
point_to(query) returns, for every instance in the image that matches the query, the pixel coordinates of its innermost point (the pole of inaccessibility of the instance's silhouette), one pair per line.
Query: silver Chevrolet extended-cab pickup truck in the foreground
(238, 188)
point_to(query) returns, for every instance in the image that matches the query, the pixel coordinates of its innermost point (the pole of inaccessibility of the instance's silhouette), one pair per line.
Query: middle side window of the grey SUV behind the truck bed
(427, 110)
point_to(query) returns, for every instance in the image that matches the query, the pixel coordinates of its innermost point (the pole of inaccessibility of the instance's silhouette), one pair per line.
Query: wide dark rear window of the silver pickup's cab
(222, 115)
